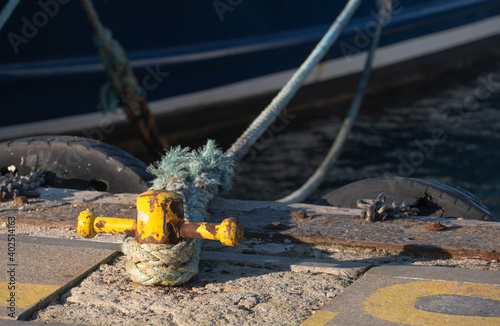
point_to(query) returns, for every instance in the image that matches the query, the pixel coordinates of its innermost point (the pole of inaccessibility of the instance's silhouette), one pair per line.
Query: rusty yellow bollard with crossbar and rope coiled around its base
(159, 254)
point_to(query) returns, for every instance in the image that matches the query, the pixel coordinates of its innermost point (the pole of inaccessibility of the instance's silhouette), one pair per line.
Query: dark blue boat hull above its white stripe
(49, 68)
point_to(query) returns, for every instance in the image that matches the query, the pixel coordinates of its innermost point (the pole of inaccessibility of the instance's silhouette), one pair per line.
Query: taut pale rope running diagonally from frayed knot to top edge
(264, 120)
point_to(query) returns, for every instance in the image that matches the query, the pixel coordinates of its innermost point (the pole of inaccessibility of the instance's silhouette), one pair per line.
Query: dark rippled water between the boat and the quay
(447, 129)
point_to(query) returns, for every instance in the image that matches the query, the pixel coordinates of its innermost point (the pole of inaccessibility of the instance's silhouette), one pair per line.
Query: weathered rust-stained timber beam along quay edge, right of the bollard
(460, 239)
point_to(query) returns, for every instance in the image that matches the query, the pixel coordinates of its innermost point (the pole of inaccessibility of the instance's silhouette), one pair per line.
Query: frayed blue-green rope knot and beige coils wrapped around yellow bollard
(198, 176)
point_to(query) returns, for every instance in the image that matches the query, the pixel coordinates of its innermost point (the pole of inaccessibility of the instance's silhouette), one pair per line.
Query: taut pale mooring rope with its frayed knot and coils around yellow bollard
(201, 175)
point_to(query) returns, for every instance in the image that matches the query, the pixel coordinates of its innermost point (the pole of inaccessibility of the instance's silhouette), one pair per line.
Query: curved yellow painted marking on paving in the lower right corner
(396, 303)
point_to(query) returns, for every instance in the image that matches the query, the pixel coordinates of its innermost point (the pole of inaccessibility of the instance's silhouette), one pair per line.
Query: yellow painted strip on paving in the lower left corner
(25, 294)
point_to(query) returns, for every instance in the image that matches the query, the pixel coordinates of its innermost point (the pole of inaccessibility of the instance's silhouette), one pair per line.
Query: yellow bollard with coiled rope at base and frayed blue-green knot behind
(166, 254)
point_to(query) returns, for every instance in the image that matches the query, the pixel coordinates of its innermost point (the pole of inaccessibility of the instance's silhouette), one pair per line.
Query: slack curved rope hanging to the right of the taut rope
(384, 9)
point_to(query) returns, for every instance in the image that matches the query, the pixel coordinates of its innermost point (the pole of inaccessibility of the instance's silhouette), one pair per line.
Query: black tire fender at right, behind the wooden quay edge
(433, 198)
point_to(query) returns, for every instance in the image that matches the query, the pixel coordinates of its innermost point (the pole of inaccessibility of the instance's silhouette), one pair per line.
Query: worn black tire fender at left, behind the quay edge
(76, 163)
